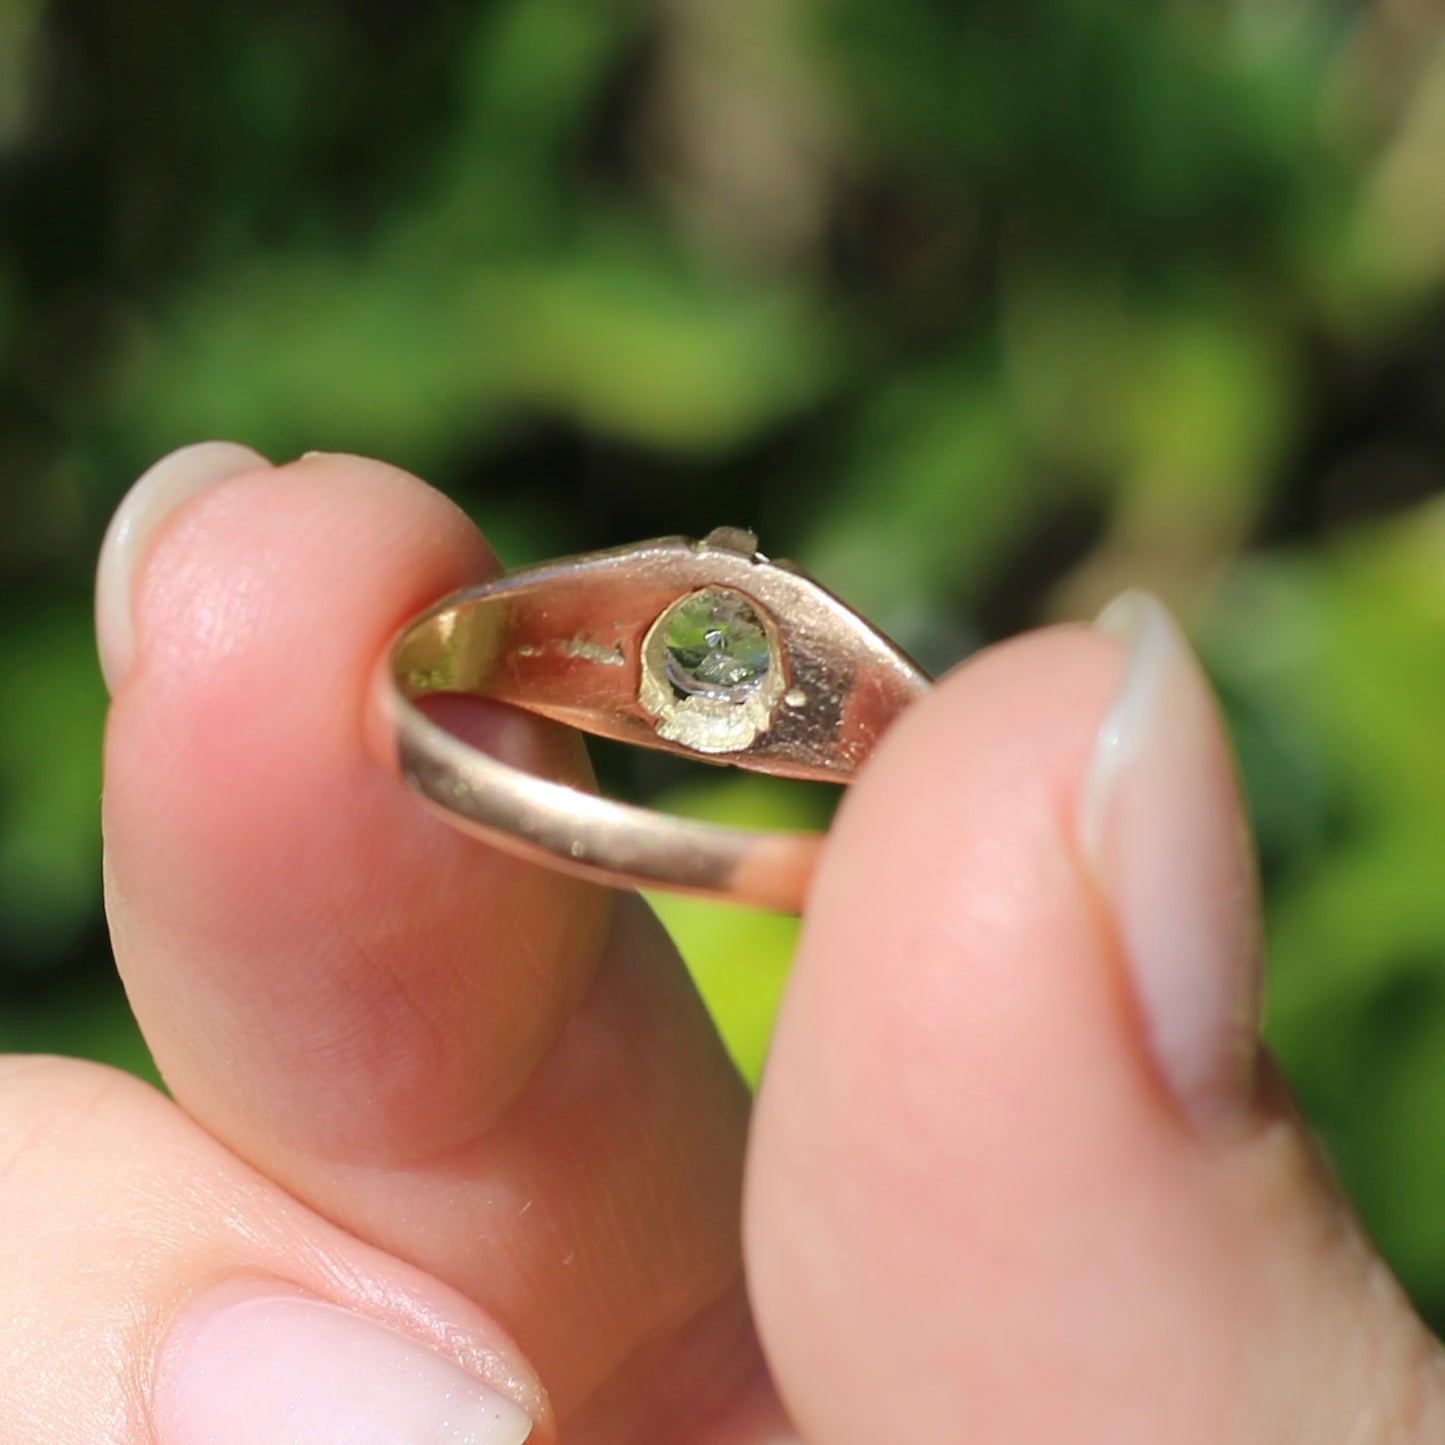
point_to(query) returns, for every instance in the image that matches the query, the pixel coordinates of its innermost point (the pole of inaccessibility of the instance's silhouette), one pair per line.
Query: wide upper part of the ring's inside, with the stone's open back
(580, 642)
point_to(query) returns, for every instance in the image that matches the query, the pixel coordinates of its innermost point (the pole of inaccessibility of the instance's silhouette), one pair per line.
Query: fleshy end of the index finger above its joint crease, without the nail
(268, 879)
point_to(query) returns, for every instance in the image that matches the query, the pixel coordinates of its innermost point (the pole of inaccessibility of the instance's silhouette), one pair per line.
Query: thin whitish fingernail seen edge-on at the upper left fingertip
(145, 508)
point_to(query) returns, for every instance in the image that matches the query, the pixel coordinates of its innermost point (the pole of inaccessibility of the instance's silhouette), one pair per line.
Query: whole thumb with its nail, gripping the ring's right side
(1019, 1173)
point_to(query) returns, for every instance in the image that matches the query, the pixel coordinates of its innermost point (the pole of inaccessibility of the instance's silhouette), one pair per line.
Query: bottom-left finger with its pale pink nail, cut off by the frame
(131, 1236)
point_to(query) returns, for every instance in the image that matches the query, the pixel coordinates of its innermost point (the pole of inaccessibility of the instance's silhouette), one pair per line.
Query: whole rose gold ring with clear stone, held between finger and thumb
(706, 650)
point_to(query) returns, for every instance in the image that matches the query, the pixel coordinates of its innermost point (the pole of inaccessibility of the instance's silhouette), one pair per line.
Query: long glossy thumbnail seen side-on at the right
(1164, 830)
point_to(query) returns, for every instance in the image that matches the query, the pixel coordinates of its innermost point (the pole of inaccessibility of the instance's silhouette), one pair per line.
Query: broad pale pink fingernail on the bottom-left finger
(256, 1363)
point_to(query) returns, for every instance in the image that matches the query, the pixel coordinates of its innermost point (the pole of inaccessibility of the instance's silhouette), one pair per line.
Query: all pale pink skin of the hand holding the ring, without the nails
(480, 1102)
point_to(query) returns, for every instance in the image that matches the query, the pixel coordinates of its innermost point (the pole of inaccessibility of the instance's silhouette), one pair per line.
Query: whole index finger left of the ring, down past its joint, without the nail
(485, 1067)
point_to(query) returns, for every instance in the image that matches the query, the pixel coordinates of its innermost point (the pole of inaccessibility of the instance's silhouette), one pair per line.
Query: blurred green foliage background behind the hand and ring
(980, 311)
